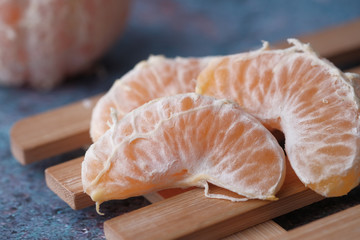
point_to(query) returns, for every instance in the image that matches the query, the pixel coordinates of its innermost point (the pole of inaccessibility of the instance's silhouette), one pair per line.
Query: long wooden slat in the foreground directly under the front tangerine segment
(192, 216)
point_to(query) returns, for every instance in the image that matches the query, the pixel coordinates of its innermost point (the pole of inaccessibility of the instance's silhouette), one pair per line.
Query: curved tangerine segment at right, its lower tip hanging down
(307, 98)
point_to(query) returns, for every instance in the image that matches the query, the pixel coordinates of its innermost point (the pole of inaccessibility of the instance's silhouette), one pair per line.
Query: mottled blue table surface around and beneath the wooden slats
(29, 210)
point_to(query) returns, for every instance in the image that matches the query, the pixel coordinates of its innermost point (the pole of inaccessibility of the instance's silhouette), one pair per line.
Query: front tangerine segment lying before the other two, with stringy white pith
(181, 141)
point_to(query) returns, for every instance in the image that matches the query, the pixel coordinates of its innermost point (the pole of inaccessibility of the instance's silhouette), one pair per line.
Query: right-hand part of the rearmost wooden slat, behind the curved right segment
(340, 44)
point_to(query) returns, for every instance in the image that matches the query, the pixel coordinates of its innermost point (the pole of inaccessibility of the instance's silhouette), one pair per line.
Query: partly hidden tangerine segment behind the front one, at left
(154, 78)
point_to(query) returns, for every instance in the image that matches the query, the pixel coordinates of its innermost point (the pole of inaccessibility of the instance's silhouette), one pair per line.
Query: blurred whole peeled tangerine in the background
(42, 41)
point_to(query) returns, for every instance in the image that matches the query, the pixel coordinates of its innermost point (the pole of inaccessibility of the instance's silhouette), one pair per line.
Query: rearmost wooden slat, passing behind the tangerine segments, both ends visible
(66, 128)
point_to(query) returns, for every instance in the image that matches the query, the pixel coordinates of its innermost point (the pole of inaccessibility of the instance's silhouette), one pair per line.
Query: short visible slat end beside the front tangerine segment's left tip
(65, 180)
